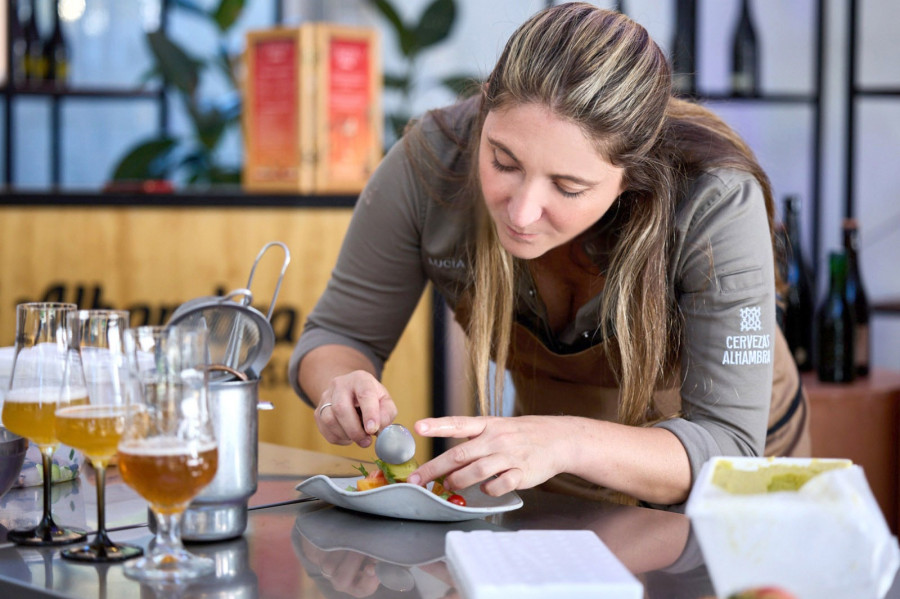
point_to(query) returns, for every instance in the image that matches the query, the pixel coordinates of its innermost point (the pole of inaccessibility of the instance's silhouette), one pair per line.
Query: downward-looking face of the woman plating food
(543, 181)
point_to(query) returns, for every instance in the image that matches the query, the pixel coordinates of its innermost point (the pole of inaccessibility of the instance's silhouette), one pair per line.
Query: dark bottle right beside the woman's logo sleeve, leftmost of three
(799, 304)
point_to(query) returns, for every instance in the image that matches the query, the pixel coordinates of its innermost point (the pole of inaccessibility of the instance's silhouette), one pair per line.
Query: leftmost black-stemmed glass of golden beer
(29, 409)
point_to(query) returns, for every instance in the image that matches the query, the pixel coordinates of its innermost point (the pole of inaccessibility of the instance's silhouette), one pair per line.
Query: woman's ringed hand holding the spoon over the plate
(349, 401)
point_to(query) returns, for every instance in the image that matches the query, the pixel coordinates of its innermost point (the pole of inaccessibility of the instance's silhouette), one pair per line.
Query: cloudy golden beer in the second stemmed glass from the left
(95, 430)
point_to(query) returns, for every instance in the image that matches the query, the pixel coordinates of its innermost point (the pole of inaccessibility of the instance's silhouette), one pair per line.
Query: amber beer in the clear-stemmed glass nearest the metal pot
(167, 472)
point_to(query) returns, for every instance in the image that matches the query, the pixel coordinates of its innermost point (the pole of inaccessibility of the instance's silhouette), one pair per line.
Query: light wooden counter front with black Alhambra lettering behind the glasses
(152, 259)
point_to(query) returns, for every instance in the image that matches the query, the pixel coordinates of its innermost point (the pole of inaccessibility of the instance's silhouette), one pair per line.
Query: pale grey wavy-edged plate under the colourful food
(409, 502)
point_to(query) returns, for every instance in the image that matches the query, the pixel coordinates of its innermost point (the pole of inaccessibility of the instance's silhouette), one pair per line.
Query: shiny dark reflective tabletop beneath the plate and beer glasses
(310, 549)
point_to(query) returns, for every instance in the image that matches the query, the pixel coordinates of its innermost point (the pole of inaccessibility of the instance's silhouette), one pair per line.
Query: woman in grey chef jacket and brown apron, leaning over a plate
(608, 244)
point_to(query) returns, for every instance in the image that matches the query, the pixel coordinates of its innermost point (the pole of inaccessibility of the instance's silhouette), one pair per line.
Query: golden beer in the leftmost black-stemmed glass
(31, 413)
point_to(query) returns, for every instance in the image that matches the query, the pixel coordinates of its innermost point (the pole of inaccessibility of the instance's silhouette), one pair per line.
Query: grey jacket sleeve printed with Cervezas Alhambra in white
(725, 284)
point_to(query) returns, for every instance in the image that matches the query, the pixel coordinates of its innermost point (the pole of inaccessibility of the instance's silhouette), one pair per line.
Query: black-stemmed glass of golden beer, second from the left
(96, 361)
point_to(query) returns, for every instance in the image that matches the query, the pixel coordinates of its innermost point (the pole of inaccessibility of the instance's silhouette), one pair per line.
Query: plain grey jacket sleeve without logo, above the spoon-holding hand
(378, 278)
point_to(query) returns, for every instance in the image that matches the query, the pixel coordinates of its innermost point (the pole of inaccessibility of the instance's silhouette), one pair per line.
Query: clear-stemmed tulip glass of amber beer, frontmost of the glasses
(168, 451)
